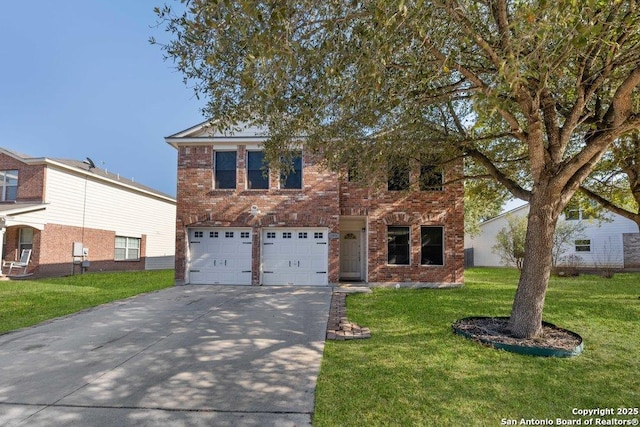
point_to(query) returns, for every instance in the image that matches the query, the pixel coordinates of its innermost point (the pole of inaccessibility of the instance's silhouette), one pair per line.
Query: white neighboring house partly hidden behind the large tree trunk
(613, 241)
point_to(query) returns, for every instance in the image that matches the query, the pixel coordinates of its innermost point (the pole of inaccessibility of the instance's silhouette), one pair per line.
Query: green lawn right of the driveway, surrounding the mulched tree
(415, 371)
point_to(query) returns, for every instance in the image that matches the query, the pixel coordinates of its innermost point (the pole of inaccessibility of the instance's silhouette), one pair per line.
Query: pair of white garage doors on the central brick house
(287, 257)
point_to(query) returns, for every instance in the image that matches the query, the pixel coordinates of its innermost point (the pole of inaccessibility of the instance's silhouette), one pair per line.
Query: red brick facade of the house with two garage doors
(324, 201)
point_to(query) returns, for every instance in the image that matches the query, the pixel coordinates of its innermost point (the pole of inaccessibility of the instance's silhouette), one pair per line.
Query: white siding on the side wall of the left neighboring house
(78, 201)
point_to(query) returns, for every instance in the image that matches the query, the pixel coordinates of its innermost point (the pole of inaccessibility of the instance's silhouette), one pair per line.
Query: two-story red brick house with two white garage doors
(239, 224)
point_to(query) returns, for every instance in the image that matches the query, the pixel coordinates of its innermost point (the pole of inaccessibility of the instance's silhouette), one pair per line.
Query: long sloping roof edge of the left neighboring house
(84, 168)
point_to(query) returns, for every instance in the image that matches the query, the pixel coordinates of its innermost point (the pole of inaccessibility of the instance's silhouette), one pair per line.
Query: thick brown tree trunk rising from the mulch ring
(526, 313)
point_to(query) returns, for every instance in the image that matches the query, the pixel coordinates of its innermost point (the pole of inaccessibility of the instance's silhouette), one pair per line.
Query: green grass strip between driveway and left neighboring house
(28, 302)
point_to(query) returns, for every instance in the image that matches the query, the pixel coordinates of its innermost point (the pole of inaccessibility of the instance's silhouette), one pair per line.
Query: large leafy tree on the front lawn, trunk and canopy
(533, 91)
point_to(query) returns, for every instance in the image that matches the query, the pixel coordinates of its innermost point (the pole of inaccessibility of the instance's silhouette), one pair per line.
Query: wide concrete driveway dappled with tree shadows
(184, 356)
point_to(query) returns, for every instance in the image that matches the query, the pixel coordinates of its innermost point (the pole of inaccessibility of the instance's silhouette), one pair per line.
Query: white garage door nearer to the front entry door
(295, 256)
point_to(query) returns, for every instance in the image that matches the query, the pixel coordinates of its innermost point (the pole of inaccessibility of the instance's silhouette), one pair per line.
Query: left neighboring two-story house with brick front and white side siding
(57, 206)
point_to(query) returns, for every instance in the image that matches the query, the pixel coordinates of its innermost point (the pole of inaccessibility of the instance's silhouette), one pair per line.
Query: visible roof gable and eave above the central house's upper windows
(204, 132)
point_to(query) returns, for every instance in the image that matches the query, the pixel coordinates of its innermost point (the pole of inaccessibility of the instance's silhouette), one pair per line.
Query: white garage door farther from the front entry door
(220, 256)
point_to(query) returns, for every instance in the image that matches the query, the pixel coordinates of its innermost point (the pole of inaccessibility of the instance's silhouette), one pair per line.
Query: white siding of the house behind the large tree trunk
(605, 237)
